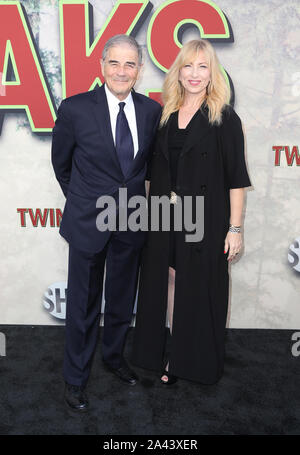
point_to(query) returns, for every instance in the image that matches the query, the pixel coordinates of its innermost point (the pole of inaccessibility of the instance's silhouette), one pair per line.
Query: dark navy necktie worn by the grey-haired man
(124, 142)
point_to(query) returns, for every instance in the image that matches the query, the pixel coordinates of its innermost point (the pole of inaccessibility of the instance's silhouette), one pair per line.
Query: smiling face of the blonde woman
(195, 75)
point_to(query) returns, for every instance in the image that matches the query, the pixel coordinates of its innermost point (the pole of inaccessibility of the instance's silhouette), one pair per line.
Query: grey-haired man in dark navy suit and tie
(101, 144)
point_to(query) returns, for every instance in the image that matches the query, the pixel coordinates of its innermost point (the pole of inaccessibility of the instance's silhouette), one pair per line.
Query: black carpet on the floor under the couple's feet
(259, 393)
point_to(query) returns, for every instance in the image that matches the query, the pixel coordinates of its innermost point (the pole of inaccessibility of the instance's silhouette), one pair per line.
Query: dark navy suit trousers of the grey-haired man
(120, 261)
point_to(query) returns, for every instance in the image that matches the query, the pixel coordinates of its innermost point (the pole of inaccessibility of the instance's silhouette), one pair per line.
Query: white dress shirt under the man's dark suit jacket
(113, 106)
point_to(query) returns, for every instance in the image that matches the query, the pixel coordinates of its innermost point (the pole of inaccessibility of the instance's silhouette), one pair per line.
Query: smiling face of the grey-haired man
(120, 69)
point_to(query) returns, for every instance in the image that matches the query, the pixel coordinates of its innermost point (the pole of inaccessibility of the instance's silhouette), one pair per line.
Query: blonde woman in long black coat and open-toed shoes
(199, 151)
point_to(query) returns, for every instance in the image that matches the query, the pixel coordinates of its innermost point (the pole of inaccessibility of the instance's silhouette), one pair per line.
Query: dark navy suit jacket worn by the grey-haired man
(86, 165)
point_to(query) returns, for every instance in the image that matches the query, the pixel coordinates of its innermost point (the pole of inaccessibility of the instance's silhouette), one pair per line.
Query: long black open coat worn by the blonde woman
(211, 162)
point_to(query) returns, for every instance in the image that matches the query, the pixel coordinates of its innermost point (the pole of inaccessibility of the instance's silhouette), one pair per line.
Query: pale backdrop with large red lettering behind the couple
(51, 49)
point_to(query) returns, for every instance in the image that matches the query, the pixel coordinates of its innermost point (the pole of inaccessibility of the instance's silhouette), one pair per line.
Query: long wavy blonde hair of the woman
(217, 92)
